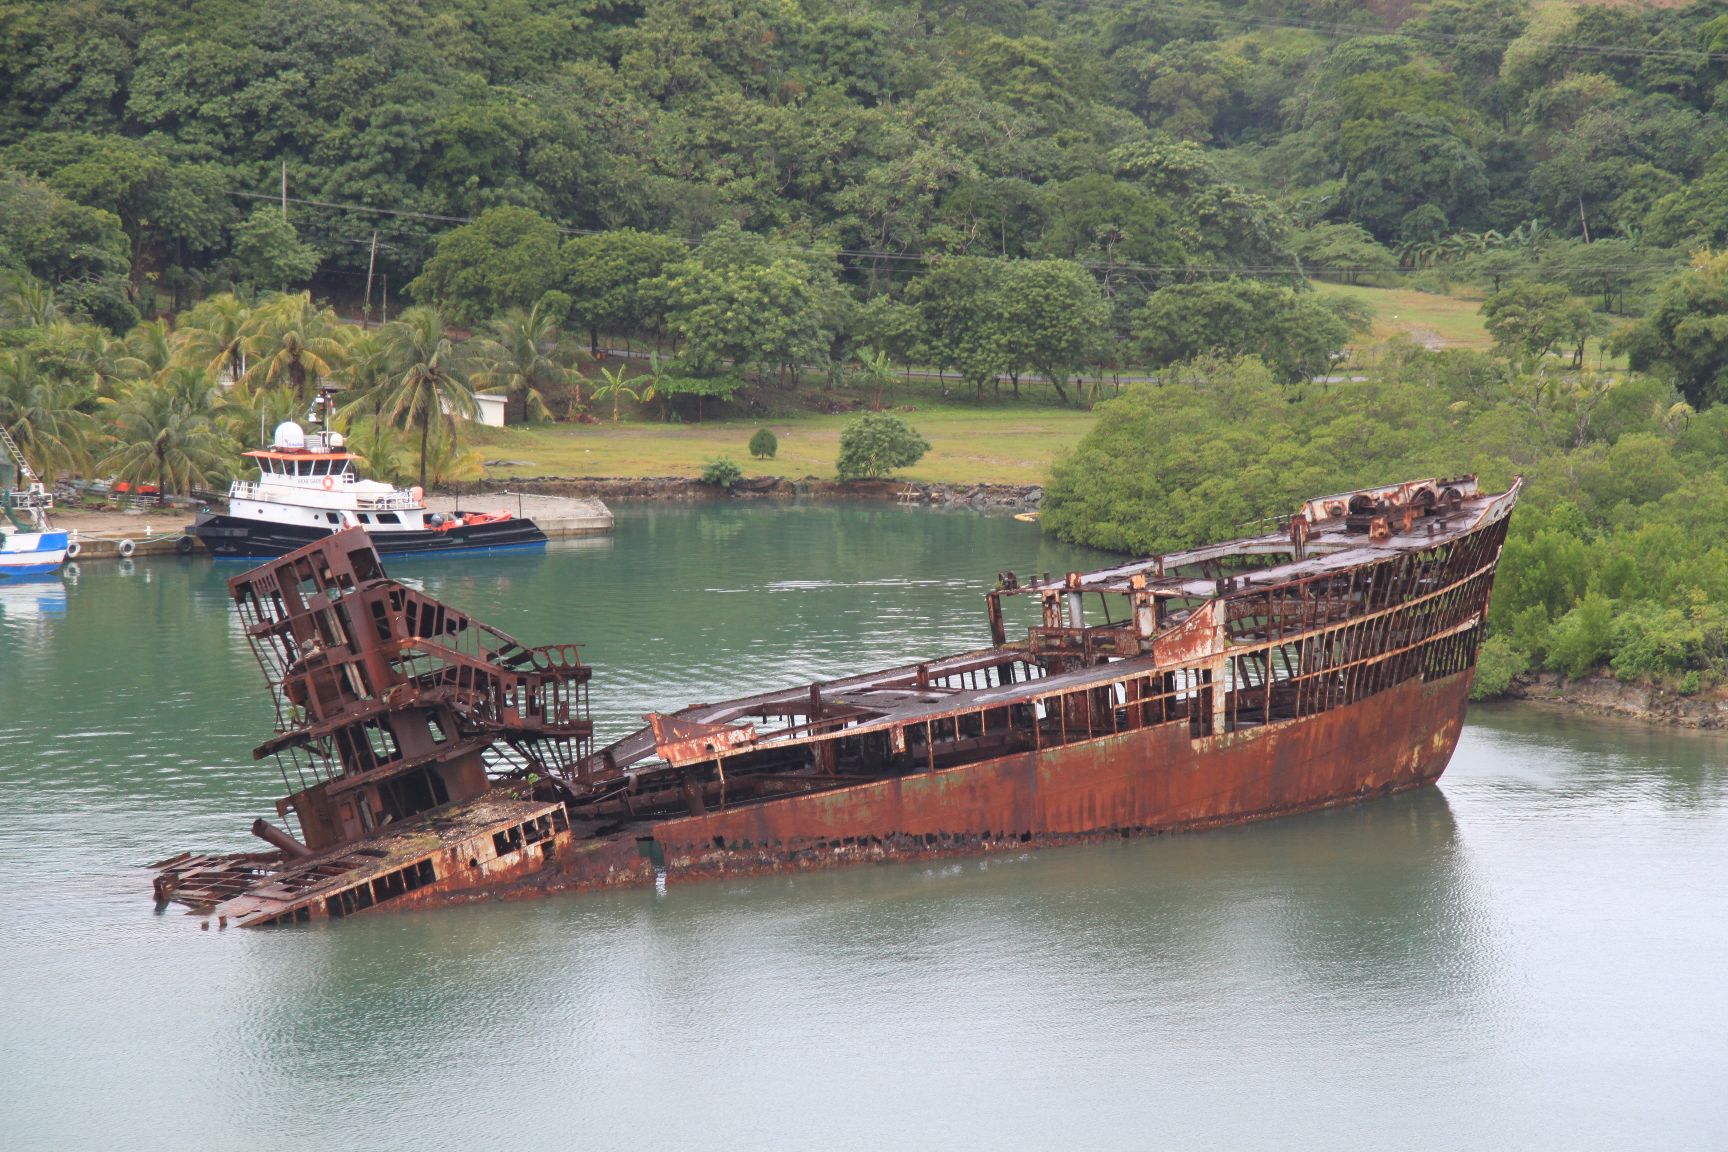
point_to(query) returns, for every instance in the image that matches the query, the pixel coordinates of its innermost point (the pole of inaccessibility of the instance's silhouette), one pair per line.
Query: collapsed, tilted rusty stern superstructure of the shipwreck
(409, 735)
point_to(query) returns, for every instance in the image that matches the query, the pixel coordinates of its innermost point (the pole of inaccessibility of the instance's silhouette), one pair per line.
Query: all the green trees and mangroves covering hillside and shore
(200, 199)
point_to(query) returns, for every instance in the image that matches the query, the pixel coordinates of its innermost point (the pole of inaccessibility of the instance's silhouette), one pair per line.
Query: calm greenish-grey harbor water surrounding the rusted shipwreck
(1530, 956)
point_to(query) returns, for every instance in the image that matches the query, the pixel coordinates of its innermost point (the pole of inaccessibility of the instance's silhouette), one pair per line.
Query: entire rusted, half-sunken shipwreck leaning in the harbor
(435, 759)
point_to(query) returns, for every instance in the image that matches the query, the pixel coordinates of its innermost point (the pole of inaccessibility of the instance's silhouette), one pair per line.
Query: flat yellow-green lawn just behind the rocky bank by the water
(969, 445)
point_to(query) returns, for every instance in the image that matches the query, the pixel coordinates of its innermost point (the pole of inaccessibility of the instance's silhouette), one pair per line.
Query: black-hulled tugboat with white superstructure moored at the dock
(308, 488)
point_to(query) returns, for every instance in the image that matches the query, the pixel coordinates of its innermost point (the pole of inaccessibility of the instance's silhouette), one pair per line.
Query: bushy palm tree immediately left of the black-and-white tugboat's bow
(163, 431)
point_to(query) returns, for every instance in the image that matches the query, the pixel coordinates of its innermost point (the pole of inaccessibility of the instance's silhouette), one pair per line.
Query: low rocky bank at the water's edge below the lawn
(1005, 497)
